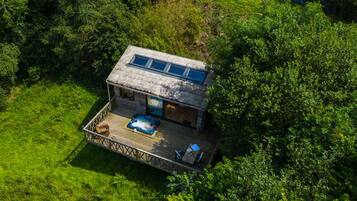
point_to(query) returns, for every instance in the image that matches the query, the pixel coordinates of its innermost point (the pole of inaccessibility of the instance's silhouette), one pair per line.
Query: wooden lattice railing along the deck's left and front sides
(131, 152)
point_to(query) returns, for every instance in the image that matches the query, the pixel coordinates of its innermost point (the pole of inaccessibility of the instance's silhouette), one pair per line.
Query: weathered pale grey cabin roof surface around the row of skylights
(159, 84)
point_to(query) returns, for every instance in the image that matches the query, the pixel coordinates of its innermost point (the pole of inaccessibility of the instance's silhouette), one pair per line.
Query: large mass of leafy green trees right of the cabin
(285, 83)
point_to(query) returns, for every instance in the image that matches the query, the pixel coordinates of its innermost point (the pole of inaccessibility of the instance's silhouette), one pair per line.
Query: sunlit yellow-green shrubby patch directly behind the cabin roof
(176, 27)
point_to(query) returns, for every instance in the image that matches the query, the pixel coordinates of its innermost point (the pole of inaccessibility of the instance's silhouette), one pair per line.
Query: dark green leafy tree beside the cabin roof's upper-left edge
(107, 37)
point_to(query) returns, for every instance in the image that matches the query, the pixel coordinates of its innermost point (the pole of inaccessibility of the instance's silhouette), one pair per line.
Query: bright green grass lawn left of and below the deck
(43, 155)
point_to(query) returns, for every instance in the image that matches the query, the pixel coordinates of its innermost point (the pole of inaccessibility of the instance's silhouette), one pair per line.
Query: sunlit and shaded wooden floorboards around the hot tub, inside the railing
(170, 136)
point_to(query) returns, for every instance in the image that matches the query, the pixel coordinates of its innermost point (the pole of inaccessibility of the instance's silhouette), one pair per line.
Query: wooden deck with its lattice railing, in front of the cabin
(162, 145)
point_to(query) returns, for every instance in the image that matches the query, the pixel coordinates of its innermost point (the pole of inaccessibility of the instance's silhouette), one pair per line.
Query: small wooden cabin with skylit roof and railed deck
(167, 87)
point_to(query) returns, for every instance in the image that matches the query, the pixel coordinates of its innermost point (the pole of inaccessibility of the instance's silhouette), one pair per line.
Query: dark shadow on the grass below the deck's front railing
(97, 159)
